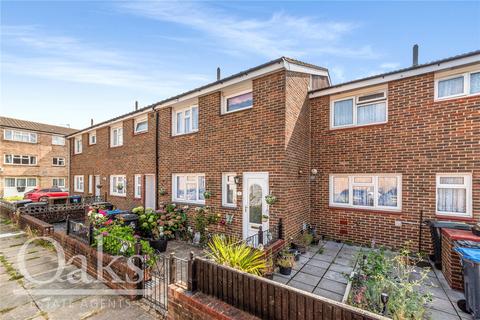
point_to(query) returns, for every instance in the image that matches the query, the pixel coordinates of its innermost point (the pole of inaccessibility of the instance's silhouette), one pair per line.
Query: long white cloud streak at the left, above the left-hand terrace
(27, 50)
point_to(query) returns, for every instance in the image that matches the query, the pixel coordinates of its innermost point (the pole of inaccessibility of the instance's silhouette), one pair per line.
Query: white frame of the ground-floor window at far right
(467, 184)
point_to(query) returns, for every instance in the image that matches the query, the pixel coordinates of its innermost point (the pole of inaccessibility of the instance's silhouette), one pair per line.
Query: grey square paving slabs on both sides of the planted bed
(324, 270)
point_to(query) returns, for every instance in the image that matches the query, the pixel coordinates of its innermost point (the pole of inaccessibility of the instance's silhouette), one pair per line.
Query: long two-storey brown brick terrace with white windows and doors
(362, 161)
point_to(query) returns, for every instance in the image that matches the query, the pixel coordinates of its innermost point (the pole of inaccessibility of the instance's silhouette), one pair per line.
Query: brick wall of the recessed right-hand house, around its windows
(421, 138)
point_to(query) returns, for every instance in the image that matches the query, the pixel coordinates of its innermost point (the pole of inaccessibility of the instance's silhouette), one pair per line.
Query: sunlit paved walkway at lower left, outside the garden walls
(18, 298)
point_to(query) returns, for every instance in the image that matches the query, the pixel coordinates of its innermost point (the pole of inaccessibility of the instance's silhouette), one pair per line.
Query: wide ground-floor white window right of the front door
(365, 191)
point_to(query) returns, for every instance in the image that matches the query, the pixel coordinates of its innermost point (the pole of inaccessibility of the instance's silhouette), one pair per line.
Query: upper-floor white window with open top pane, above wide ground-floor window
(359, 110)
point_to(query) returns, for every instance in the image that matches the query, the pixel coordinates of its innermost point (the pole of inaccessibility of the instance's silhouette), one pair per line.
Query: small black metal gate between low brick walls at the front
(155, 282)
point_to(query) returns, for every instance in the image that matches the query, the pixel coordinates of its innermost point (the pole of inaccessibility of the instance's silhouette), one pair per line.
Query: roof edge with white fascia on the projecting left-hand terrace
(201, 88)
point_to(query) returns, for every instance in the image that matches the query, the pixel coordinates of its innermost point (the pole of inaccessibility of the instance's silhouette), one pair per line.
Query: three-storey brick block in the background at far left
(35, 155)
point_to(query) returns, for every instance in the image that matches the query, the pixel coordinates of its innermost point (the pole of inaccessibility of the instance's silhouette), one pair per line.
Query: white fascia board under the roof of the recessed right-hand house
(397, 76)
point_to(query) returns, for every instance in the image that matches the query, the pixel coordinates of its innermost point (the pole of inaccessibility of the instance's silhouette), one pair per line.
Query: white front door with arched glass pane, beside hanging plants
(255, 209)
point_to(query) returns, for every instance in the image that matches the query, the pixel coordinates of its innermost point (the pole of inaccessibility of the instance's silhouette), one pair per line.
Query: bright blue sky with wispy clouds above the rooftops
(64, 62)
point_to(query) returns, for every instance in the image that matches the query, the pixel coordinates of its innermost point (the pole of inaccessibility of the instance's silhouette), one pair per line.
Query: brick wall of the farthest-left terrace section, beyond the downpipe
(136, 156)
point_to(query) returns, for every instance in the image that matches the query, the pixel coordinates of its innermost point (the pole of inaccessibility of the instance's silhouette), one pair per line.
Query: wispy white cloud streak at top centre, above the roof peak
(280, 34)
